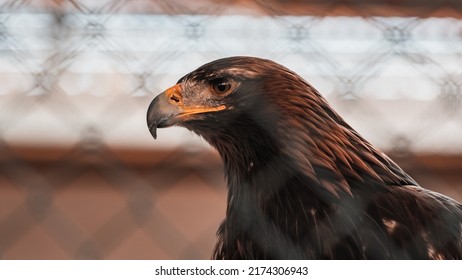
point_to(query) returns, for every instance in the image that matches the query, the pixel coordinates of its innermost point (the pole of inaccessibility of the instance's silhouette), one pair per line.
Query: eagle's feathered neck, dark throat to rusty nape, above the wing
(285, 178)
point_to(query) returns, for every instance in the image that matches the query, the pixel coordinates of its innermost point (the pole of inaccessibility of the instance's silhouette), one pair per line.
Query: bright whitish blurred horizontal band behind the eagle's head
(94, 64)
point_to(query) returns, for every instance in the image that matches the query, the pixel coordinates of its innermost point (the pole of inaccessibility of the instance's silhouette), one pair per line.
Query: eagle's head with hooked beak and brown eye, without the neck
(222, 95)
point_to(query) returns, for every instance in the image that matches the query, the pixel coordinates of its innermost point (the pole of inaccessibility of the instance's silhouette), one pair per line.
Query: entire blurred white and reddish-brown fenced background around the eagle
(82, 178)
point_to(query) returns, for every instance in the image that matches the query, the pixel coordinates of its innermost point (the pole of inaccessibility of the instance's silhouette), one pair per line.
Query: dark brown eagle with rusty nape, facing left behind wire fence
(302, 183)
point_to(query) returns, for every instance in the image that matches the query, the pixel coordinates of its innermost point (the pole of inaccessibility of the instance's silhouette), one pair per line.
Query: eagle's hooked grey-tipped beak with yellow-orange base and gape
(167, 109)
